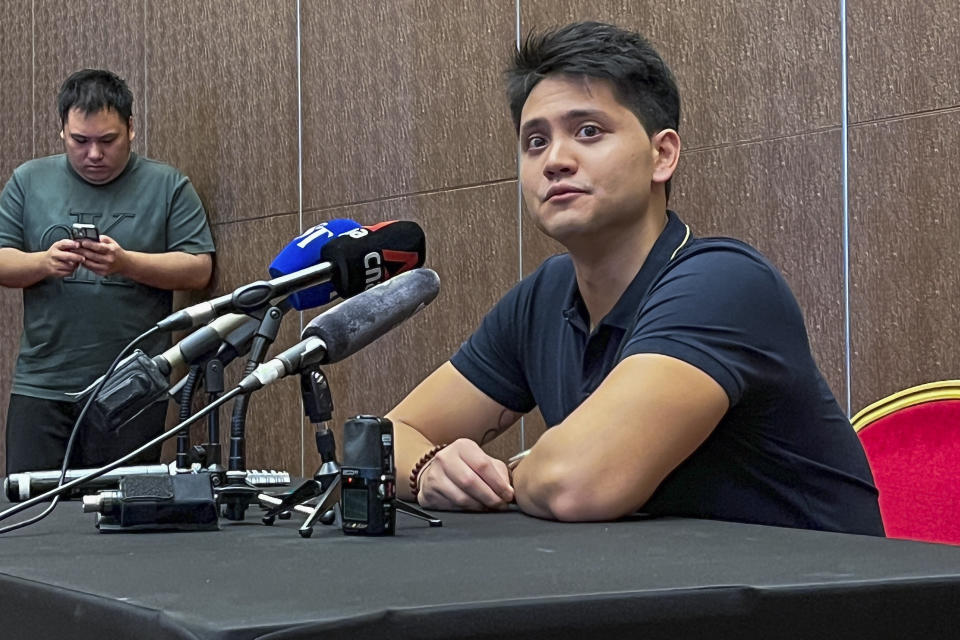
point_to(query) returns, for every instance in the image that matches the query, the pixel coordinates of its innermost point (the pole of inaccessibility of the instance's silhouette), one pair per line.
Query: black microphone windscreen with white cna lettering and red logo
(365, 257)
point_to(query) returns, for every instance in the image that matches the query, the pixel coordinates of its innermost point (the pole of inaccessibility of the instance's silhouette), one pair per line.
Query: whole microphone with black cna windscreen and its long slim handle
(352, 262)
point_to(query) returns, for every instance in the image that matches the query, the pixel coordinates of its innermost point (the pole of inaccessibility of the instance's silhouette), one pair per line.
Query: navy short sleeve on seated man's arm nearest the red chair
(725, 310)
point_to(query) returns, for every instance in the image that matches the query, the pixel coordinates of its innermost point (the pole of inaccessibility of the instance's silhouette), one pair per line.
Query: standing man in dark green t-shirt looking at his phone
(85, 300)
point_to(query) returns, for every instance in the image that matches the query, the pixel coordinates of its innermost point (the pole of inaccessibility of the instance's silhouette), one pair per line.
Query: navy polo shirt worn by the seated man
(784, 453)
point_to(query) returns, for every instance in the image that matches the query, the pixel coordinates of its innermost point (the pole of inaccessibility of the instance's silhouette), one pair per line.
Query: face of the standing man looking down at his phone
(97, 145)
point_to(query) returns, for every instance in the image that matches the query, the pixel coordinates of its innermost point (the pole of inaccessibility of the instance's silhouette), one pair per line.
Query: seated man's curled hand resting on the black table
(463, 477)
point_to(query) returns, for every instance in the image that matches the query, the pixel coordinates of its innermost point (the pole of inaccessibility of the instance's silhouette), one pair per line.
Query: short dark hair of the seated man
(641, 80)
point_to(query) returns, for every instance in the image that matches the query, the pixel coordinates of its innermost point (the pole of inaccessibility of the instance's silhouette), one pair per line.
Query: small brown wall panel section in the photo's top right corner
(902, 57)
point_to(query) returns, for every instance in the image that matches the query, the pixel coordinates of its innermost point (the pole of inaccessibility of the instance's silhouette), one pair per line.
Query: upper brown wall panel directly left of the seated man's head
(403, 97)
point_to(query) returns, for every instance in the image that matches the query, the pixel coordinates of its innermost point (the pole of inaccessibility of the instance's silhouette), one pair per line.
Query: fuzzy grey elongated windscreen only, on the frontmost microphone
(358, 321)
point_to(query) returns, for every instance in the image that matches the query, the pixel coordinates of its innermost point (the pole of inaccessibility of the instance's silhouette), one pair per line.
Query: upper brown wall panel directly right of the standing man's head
(223, 101)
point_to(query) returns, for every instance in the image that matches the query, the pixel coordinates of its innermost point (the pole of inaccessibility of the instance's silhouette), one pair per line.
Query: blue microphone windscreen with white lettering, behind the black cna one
(305, 251)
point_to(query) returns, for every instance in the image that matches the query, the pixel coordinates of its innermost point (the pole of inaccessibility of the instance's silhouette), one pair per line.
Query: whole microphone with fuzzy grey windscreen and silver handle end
(350, 326)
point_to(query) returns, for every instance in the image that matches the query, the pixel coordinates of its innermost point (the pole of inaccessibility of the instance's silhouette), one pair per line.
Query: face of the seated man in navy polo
(586, 162)
